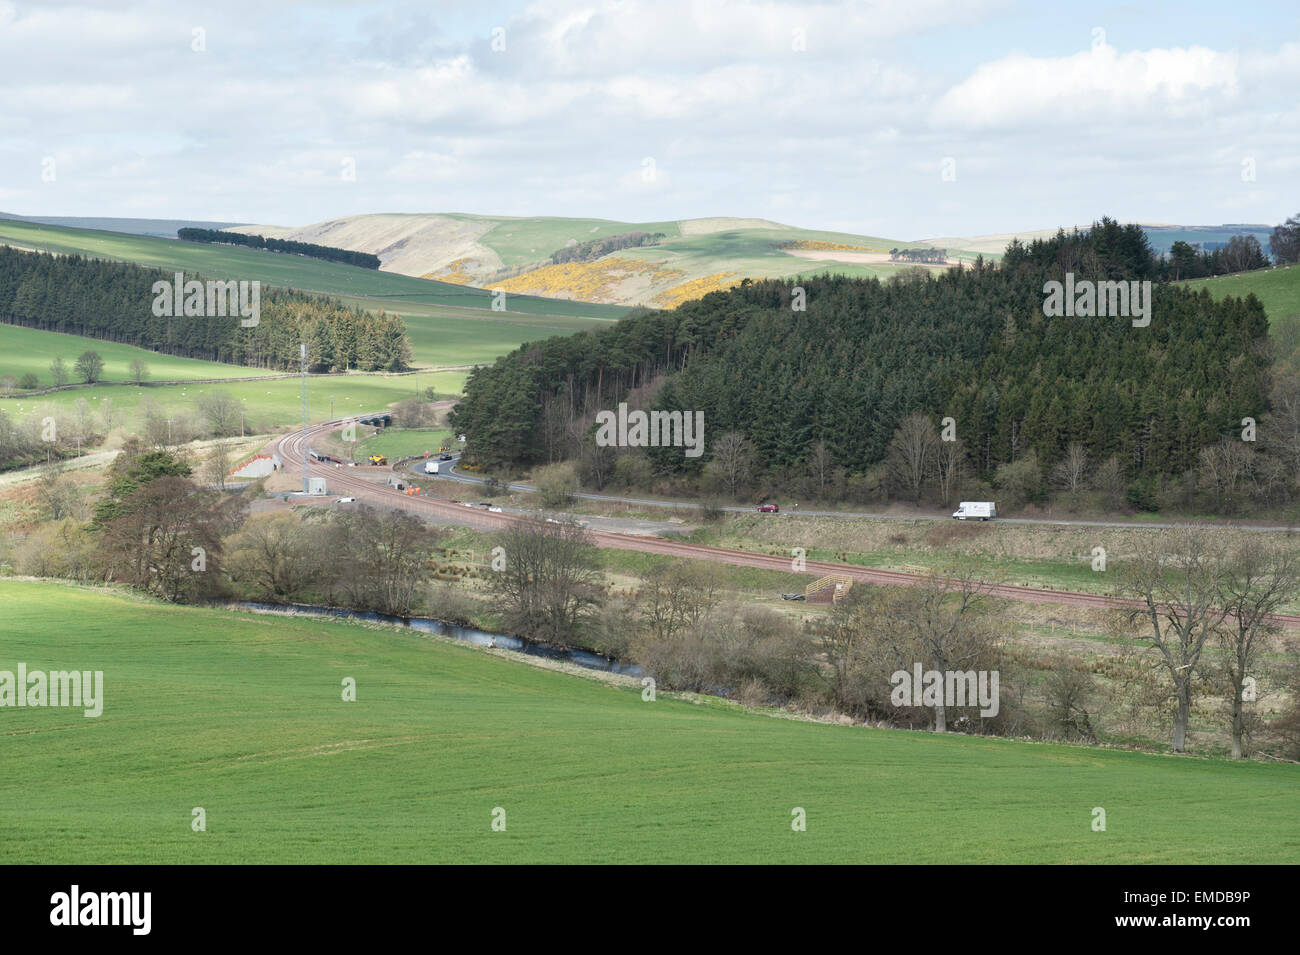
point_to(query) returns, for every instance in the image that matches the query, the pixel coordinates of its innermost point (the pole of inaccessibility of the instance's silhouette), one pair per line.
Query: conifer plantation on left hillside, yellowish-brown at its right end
(114, 302)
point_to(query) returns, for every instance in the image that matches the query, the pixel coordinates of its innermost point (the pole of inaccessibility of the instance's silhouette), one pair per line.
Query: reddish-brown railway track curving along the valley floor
(291, 450)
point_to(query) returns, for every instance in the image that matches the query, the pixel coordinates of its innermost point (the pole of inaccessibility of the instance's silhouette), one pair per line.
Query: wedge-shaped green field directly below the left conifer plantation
(32, 350)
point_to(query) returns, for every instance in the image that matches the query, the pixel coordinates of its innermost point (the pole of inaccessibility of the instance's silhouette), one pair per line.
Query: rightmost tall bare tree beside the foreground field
(1259, 579)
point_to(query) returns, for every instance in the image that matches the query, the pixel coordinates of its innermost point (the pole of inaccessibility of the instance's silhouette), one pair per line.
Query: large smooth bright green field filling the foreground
(242, 715)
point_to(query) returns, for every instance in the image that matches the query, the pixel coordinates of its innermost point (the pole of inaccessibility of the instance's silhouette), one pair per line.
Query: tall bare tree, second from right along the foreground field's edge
(1177, 579)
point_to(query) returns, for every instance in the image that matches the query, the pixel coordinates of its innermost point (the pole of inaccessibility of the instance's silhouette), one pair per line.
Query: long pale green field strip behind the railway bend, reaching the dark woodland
(270, 403)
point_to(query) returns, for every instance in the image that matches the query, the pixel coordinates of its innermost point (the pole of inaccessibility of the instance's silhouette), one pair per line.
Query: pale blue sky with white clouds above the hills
(902, 120)
